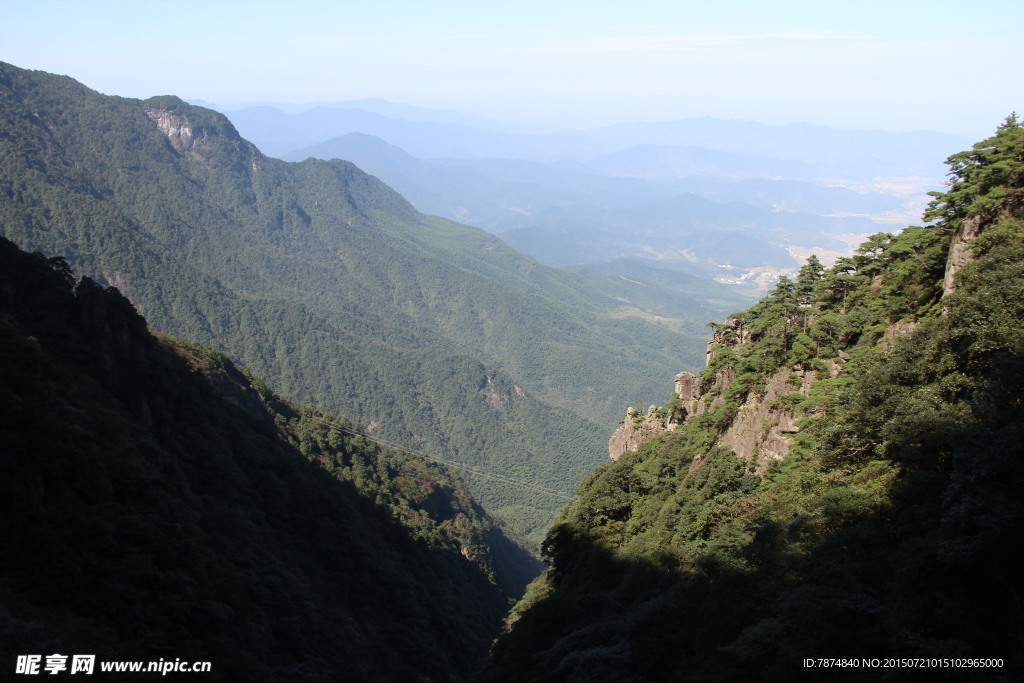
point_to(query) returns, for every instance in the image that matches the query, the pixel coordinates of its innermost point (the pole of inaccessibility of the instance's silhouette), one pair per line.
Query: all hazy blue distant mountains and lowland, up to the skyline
(560, 197)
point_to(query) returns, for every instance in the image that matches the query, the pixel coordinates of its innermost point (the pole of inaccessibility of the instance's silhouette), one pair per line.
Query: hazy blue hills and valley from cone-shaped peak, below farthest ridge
(633, 203)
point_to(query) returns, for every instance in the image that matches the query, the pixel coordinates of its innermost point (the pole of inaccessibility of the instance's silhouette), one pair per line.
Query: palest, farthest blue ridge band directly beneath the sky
(444, 138)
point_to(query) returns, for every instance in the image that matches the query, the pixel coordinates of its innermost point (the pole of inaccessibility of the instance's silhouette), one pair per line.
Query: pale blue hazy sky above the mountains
(900, 65)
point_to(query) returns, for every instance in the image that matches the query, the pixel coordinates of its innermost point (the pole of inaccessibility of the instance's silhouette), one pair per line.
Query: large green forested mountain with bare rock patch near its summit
(331, 286)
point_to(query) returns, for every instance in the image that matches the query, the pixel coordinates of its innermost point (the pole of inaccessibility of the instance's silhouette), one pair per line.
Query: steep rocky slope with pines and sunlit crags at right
(844, 482)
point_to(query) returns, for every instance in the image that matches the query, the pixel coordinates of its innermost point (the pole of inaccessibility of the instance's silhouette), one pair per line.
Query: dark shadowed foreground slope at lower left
(157, 502)
